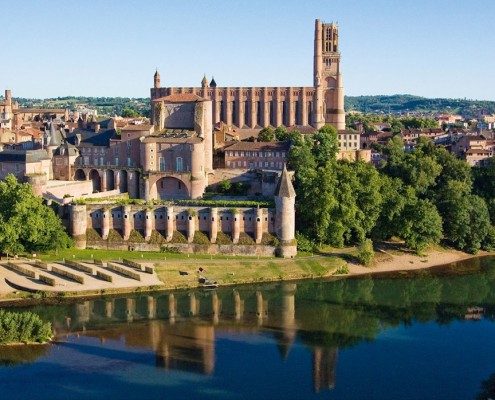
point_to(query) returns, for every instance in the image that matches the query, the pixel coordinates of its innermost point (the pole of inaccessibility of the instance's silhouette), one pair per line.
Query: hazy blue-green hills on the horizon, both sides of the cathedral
(395, 104)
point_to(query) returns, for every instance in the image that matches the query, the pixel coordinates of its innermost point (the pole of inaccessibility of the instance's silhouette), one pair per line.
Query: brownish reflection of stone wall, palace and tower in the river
(181, 327)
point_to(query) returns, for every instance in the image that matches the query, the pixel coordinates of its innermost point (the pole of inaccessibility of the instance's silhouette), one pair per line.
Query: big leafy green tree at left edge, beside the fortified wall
(26, 224)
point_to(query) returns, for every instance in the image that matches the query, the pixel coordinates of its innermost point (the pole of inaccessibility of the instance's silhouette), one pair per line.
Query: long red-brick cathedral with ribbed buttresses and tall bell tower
(259, 107)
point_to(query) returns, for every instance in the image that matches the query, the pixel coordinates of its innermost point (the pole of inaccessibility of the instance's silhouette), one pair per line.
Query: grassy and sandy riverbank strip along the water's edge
(181, 272)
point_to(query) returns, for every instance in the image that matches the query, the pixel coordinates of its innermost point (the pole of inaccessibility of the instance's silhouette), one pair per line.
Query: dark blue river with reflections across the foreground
(422, 335)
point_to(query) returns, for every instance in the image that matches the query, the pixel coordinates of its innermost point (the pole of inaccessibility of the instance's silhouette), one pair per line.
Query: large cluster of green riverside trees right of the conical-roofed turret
(421, 196)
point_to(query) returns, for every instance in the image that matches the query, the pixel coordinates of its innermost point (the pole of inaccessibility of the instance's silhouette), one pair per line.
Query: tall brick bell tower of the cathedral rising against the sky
(329, 96)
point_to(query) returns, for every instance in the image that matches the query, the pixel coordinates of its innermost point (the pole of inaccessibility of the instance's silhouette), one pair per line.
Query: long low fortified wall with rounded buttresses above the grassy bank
(211, 230)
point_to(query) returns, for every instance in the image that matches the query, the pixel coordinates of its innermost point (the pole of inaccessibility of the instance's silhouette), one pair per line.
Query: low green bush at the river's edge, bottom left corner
(23, 327)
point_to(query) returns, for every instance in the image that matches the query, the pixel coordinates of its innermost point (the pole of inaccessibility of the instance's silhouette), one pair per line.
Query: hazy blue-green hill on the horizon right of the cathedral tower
(403, 103)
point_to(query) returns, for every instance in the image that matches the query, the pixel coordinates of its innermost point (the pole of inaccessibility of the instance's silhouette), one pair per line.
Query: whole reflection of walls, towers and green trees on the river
(183, 329)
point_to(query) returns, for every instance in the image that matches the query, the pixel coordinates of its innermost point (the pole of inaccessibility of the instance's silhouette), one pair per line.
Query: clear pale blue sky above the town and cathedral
(432, 48)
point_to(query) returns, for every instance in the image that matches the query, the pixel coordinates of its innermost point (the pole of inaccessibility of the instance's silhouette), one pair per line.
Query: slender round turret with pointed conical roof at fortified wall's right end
(285, 197)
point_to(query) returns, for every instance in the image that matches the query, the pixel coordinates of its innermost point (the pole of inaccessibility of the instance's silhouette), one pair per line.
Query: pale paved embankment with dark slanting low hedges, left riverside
(72, 276)
